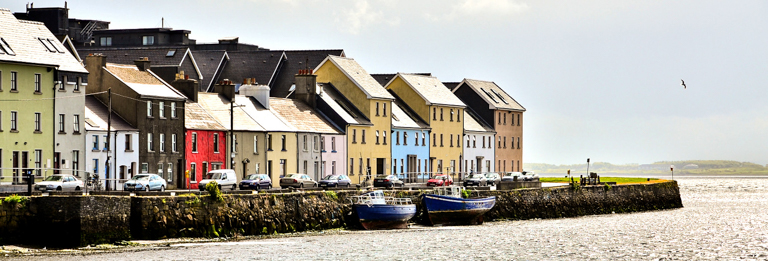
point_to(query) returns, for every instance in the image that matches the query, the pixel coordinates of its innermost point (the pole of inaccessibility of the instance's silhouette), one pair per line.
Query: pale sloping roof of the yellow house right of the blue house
(430, 89)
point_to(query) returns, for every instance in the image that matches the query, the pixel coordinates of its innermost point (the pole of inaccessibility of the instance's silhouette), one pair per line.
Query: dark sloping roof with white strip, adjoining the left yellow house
(341, 106)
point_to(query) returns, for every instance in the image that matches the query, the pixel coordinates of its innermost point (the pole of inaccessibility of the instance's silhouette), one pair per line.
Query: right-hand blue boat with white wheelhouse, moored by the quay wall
(446, 206)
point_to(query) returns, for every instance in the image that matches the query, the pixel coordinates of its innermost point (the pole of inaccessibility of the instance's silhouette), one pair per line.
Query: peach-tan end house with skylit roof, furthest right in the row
(497, 108)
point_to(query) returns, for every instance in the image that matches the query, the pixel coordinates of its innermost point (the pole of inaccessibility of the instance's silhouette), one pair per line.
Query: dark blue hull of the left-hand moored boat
(384, 216)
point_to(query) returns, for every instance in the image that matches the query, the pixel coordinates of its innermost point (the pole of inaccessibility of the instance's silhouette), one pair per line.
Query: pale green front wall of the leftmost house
(25, 138)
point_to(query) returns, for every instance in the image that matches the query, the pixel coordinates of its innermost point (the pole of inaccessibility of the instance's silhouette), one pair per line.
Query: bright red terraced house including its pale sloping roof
(206, 144)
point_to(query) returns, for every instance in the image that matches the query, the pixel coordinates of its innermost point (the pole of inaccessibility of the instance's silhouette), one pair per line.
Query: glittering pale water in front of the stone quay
(722, 219)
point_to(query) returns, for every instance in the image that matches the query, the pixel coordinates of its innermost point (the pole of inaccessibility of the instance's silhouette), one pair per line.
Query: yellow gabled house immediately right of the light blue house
(442, 110)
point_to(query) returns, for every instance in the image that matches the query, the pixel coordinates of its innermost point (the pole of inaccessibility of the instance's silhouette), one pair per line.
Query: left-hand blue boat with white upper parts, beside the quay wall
(376, 211)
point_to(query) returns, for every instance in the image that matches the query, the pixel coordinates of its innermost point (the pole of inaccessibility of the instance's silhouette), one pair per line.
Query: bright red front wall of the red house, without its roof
(206, 156)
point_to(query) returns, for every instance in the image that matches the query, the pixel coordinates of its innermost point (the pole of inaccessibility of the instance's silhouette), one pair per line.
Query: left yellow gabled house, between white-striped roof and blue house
(368, 147)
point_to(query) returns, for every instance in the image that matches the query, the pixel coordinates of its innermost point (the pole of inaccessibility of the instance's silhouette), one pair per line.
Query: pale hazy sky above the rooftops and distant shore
(599, 79)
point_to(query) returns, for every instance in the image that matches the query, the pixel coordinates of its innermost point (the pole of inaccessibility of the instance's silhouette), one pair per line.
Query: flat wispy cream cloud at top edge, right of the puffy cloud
(479, 8)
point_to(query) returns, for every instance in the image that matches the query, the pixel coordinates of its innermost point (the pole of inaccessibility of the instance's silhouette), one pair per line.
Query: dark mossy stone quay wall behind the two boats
(69, 221)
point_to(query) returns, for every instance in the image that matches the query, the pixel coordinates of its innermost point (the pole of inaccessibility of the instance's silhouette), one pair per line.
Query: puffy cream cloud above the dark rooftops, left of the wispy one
(361, 16)
